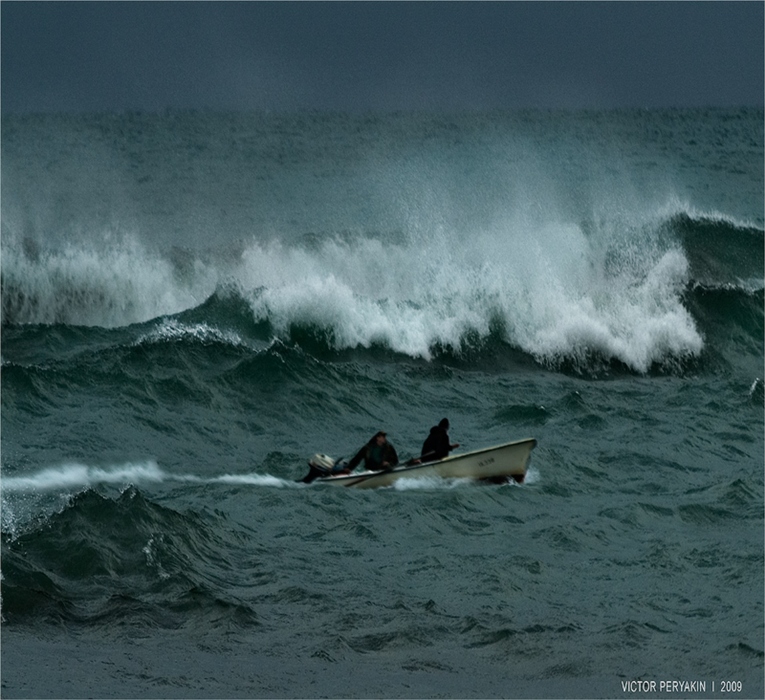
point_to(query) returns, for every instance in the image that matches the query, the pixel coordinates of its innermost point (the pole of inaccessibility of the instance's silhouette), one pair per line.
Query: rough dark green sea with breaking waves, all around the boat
(194, 303)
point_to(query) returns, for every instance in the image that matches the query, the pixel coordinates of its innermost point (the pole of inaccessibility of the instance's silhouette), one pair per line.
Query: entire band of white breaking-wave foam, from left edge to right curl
(551, 288)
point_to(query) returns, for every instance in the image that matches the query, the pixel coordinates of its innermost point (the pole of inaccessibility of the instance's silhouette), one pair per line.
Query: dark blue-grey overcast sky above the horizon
(95, 56)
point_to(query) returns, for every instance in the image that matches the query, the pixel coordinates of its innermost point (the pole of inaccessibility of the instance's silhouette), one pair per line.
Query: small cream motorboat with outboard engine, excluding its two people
(497, 464)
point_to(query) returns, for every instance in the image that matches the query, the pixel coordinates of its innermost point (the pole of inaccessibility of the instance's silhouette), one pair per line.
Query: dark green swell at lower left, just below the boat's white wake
(102, 561)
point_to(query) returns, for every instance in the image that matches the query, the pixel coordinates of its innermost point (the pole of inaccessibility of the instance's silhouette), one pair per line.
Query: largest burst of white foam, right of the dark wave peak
(555, 291)
